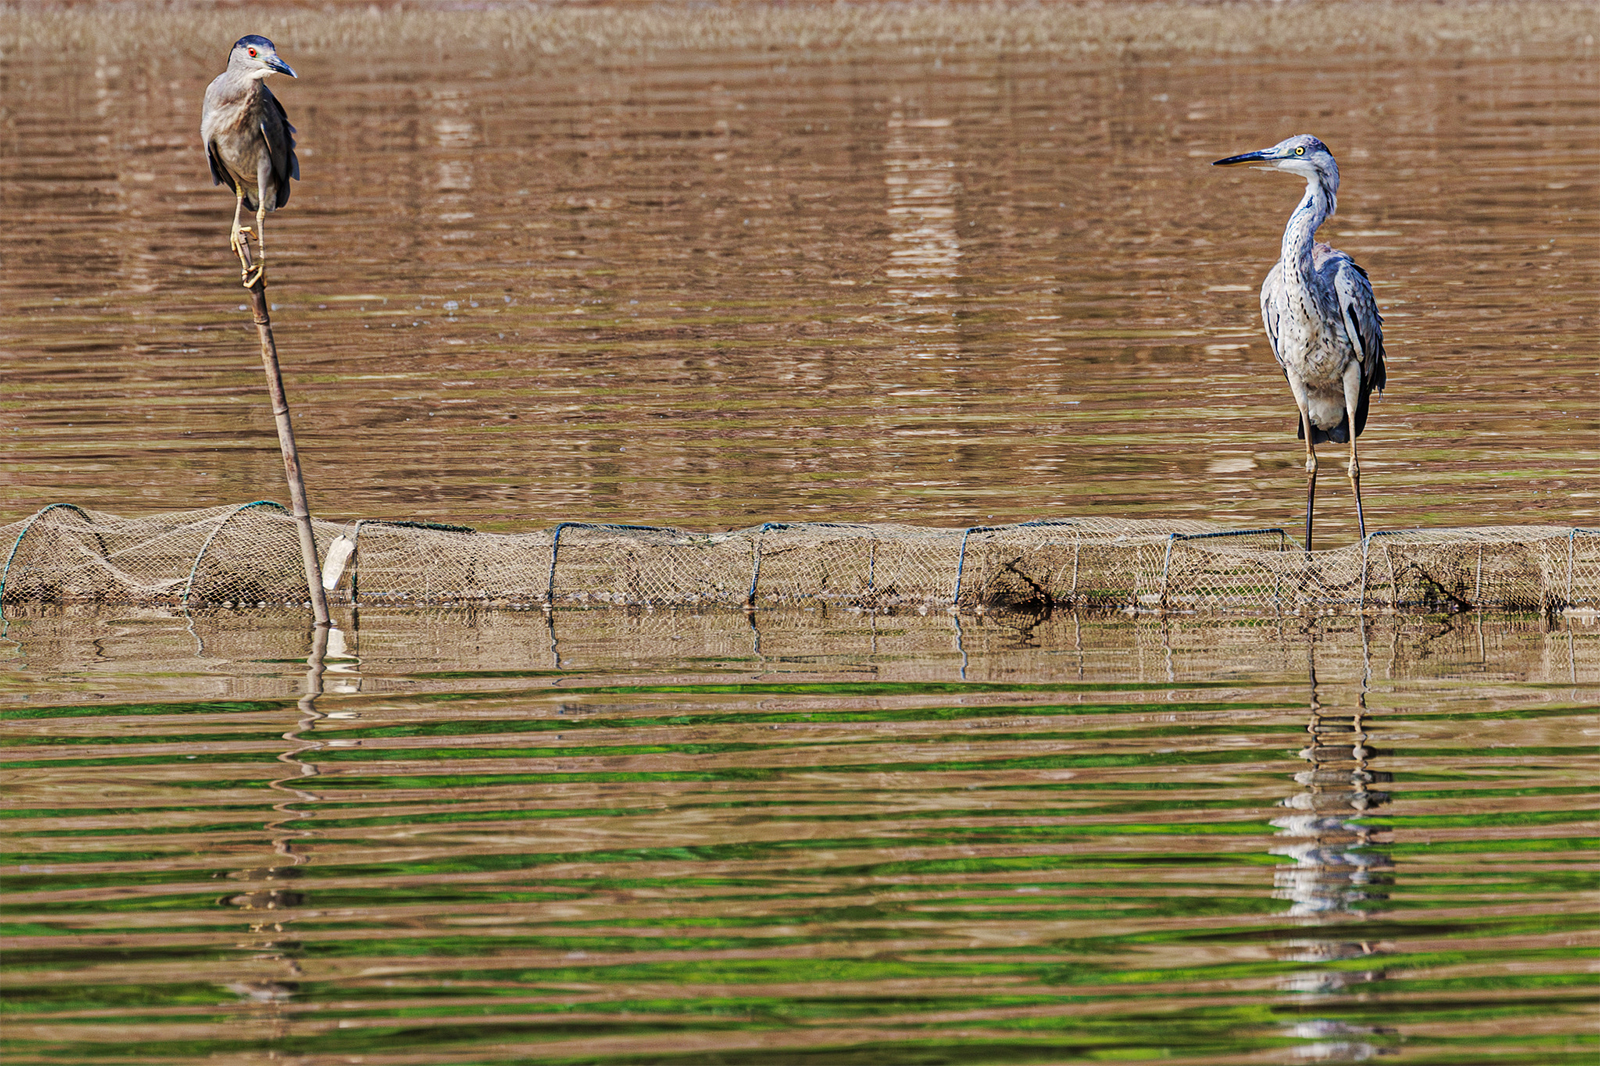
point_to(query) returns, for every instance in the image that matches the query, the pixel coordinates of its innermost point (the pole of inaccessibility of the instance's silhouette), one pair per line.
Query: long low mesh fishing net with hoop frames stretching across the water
(249, 556)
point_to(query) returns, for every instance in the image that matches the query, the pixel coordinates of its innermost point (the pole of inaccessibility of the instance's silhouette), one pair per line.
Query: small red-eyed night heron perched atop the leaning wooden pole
(249, 140)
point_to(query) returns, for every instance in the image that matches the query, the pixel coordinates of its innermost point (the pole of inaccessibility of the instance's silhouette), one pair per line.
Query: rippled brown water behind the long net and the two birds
(778, 281)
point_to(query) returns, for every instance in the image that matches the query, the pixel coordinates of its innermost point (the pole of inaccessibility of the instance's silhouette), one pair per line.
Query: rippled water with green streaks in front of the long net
(802, 836)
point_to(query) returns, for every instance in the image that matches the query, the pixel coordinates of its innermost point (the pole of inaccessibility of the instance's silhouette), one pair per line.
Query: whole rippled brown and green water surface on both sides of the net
(570, 278)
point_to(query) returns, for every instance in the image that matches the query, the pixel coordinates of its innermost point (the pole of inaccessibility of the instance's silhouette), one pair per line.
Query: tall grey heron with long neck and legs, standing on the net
(1321, 316)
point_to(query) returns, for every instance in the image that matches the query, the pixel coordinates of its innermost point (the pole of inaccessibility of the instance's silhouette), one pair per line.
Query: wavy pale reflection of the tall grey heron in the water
(1338, 878)
